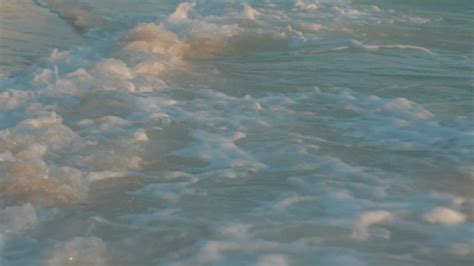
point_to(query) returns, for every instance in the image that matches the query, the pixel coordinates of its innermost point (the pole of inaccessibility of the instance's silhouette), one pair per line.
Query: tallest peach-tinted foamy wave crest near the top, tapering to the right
(199, 39)
